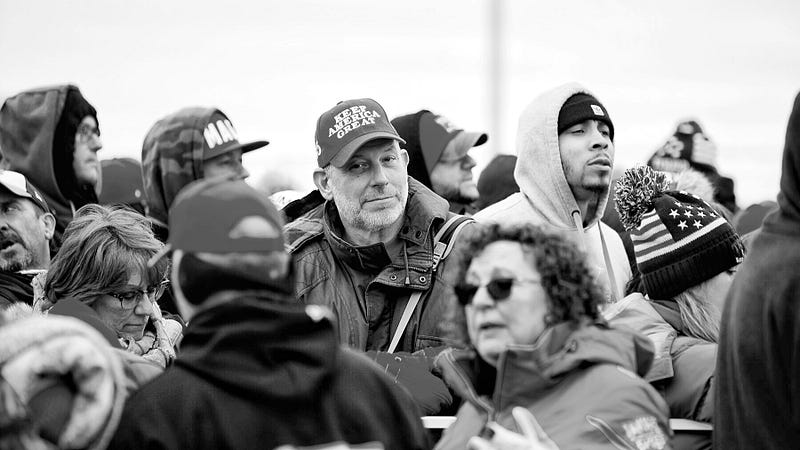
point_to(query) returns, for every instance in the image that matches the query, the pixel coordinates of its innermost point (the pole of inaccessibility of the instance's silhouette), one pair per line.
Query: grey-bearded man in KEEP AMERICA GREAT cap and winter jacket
(367, 252)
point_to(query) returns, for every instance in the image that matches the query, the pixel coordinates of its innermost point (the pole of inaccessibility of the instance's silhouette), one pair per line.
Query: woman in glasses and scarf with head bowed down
(101, 275)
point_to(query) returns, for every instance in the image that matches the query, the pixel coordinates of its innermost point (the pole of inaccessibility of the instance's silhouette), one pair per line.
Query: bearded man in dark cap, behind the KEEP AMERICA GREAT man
(439, 153)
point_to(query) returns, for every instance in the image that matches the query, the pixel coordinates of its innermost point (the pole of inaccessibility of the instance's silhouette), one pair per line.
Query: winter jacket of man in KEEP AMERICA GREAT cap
(367, 289)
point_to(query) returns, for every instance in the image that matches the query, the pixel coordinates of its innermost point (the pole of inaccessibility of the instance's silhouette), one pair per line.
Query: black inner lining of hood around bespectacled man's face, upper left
(75, 109)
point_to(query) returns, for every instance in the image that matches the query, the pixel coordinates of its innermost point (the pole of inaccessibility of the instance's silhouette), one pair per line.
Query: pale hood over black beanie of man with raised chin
(539, 172)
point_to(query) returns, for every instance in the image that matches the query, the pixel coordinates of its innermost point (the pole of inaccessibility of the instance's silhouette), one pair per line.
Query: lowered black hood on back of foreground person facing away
(291, 349)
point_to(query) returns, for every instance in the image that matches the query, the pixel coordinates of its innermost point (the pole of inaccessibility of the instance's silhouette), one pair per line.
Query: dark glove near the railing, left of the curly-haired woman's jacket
(414, 374)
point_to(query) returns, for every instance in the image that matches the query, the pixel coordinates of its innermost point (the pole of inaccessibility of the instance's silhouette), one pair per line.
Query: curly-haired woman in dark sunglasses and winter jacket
(531, 310)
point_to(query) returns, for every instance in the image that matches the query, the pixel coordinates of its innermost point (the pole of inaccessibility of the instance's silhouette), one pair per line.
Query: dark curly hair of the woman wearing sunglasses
(572, 293)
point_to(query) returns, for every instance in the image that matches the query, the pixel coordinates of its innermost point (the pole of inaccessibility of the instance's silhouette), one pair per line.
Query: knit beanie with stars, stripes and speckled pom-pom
(679, 240)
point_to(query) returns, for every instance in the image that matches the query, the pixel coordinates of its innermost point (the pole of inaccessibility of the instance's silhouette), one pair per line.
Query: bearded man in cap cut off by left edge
(26, 227)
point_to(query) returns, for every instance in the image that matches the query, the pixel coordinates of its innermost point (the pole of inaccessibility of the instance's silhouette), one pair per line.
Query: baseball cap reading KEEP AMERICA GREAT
(347, 126)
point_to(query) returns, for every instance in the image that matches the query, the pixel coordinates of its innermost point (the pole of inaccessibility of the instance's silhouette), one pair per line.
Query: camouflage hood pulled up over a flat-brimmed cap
(172, 157)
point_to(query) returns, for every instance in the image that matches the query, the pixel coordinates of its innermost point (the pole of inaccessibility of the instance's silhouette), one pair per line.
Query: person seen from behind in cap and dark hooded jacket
(272, 369)
